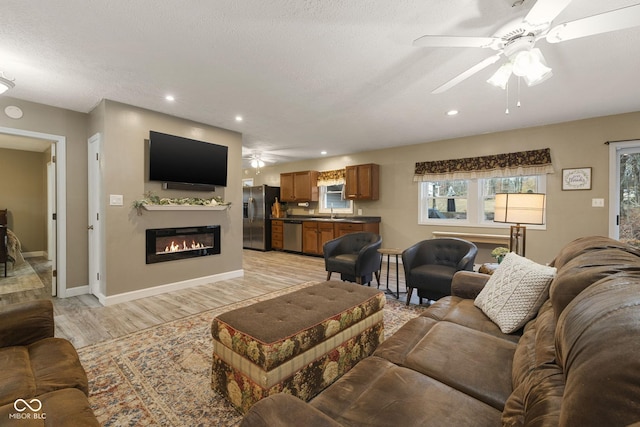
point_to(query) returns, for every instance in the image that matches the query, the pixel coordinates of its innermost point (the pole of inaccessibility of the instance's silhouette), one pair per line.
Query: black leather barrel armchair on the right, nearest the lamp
(429, 265)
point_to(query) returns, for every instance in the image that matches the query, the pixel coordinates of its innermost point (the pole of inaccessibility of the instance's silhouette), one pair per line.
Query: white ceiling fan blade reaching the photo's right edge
(618, 19)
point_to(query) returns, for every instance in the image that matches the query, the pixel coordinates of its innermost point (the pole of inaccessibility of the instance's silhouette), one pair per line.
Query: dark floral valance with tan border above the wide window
(534, 162)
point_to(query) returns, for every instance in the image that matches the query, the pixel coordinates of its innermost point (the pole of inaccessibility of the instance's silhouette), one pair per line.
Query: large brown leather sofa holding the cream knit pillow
(575, 364)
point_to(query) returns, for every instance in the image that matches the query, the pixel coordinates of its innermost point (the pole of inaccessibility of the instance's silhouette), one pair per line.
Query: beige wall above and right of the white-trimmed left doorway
(73, 126)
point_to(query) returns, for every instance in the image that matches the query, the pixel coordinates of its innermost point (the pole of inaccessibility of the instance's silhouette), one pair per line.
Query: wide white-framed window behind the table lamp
(470, 202)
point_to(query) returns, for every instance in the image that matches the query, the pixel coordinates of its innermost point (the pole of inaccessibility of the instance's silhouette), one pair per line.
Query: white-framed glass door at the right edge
(624, 209)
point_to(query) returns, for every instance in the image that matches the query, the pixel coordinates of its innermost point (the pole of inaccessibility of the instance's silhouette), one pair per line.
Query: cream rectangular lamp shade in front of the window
(519, 208)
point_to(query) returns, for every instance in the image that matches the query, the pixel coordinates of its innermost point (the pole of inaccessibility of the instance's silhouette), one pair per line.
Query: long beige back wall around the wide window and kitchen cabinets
(569, 213)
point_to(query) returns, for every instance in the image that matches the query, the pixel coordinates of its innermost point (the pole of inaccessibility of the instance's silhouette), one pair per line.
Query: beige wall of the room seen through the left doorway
(23, 193)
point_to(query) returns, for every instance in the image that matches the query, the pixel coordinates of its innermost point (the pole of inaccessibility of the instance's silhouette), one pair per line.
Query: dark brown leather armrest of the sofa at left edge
(25, 323)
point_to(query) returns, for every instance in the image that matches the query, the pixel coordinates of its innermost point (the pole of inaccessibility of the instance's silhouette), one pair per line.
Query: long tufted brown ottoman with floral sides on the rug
(298, 343)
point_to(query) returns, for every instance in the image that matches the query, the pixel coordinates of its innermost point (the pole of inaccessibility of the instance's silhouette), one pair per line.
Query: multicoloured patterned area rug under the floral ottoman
(161, 376)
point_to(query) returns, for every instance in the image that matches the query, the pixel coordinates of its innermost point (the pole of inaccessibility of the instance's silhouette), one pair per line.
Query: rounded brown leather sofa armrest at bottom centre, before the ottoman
(285, 410)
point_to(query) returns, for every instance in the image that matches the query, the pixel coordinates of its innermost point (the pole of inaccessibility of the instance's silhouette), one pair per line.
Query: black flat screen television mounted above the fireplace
(175, 159)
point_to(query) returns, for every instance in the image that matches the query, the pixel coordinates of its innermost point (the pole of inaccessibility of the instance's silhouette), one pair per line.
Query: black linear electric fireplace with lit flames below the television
(170, 244)
